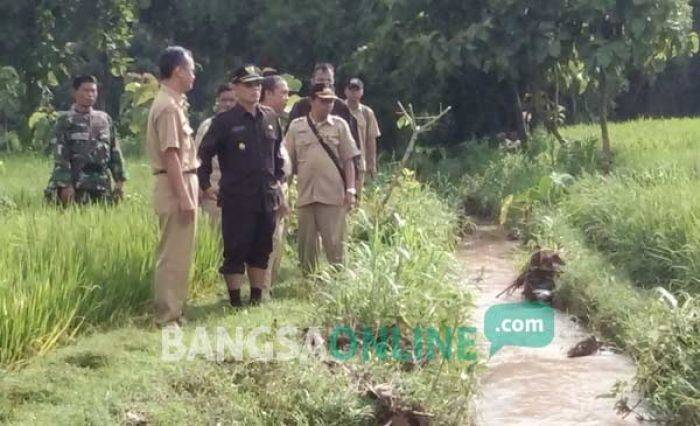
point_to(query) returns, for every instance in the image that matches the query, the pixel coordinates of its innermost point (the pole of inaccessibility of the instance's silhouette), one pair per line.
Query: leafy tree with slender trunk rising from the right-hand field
(614, 38)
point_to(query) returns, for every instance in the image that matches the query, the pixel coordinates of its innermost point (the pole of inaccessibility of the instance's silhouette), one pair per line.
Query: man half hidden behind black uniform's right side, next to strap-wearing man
(275, 94)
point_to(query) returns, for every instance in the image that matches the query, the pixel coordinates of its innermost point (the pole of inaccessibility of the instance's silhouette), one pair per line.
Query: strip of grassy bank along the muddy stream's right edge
(661, 336)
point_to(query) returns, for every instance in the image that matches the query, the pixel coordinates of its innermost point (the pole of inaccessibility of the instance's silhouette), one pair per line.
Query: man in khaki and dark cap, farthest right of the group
(367, 128)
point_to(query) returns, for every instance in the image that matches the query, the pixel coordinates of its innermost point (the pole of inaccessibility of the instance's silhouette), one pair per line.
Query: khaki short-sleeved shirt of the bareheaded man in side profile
(169, 127)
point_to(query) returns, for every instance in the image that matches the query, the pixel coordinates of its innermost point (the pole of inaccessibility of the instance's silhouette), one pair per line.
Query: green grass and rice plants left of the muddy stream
(78, 346)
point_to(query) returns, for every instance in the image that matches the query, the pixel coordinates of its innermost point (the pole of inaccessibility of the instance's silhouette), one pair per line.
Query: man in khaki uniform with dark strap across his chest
(326, 177)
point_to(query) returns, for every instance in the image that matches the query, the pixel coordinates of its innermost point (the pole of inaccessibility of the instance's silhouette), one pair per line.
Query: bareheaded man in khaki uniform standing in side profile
(173, 157)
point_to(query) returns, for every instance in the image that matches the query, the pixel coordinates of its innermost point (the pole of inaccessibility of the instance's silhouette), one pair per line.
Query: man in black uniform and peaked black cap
(246, 139)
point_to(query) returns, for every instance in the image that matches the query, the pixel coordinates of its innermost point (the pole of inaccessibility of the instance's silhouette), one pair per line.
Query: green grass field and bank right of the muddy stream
(623, 236)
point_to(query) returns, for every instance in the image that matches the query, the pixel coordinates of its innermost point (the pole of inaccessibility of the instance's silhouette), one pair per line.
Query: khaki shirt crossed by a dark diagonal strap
(318, 178)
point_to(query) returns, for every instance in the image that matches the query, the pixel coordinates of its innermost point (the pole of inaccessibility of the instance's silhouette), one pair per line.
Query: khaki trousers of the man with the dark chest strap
(327, 221)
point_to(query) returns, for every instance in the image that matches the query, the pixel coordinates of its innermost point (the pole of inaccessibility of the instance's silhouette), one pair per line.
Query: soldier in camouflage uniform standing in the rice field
(85, 151)
